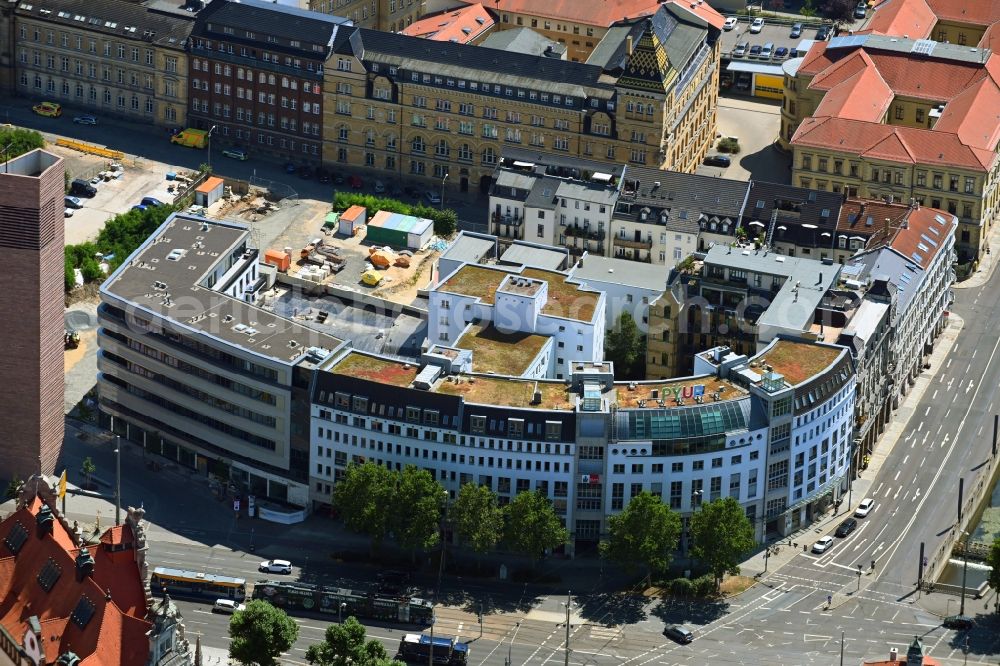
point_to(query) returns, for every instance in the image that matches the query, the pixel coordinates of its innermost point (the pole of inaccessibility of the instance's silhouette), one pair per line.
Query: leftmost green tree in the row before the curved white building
(364, 499)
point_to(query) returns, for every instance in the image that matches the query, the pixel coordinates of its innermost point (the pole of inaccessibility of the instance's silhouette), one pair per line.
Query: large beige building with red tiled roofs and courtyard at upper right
(879, 117)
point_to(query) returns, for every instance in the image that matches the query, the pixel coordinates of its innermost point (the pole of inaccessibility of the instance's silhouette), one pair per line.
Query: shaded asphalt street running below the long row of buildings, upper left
(153, 144)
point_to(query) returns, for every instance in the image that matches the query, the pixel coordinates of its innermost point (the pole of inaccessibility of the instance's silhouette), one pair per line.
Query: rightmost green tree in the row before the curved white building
(721, 534)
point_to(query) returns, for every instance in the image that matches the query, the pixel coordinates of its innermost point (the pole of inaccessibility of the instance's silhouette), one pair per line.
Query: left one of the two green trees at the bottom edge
(260, 633)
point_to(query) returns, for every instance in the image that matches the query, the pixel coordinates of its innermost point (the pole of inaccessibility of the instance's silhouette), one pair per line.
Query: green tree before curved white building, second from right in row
(644, 534)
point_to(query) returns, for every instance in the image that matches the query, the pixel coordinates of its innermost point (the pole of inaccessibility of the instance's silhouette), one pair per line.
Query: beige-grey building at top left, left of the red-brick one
(115, 58)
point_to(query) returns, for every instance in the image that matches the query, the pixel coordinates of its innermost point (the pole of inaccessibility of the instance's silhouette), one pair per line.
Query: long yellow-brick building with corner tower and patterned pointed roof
(445, 111)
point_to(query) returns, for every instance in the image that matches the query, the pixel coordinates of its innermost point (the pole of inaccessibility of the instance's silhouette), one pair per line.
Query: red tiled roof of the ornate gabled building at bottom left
(114, 636)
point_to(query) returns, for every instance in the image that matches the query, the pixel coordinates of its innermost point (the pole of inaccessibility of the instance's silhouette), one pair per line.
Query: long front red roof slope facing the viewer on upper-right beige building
(890, 142)
